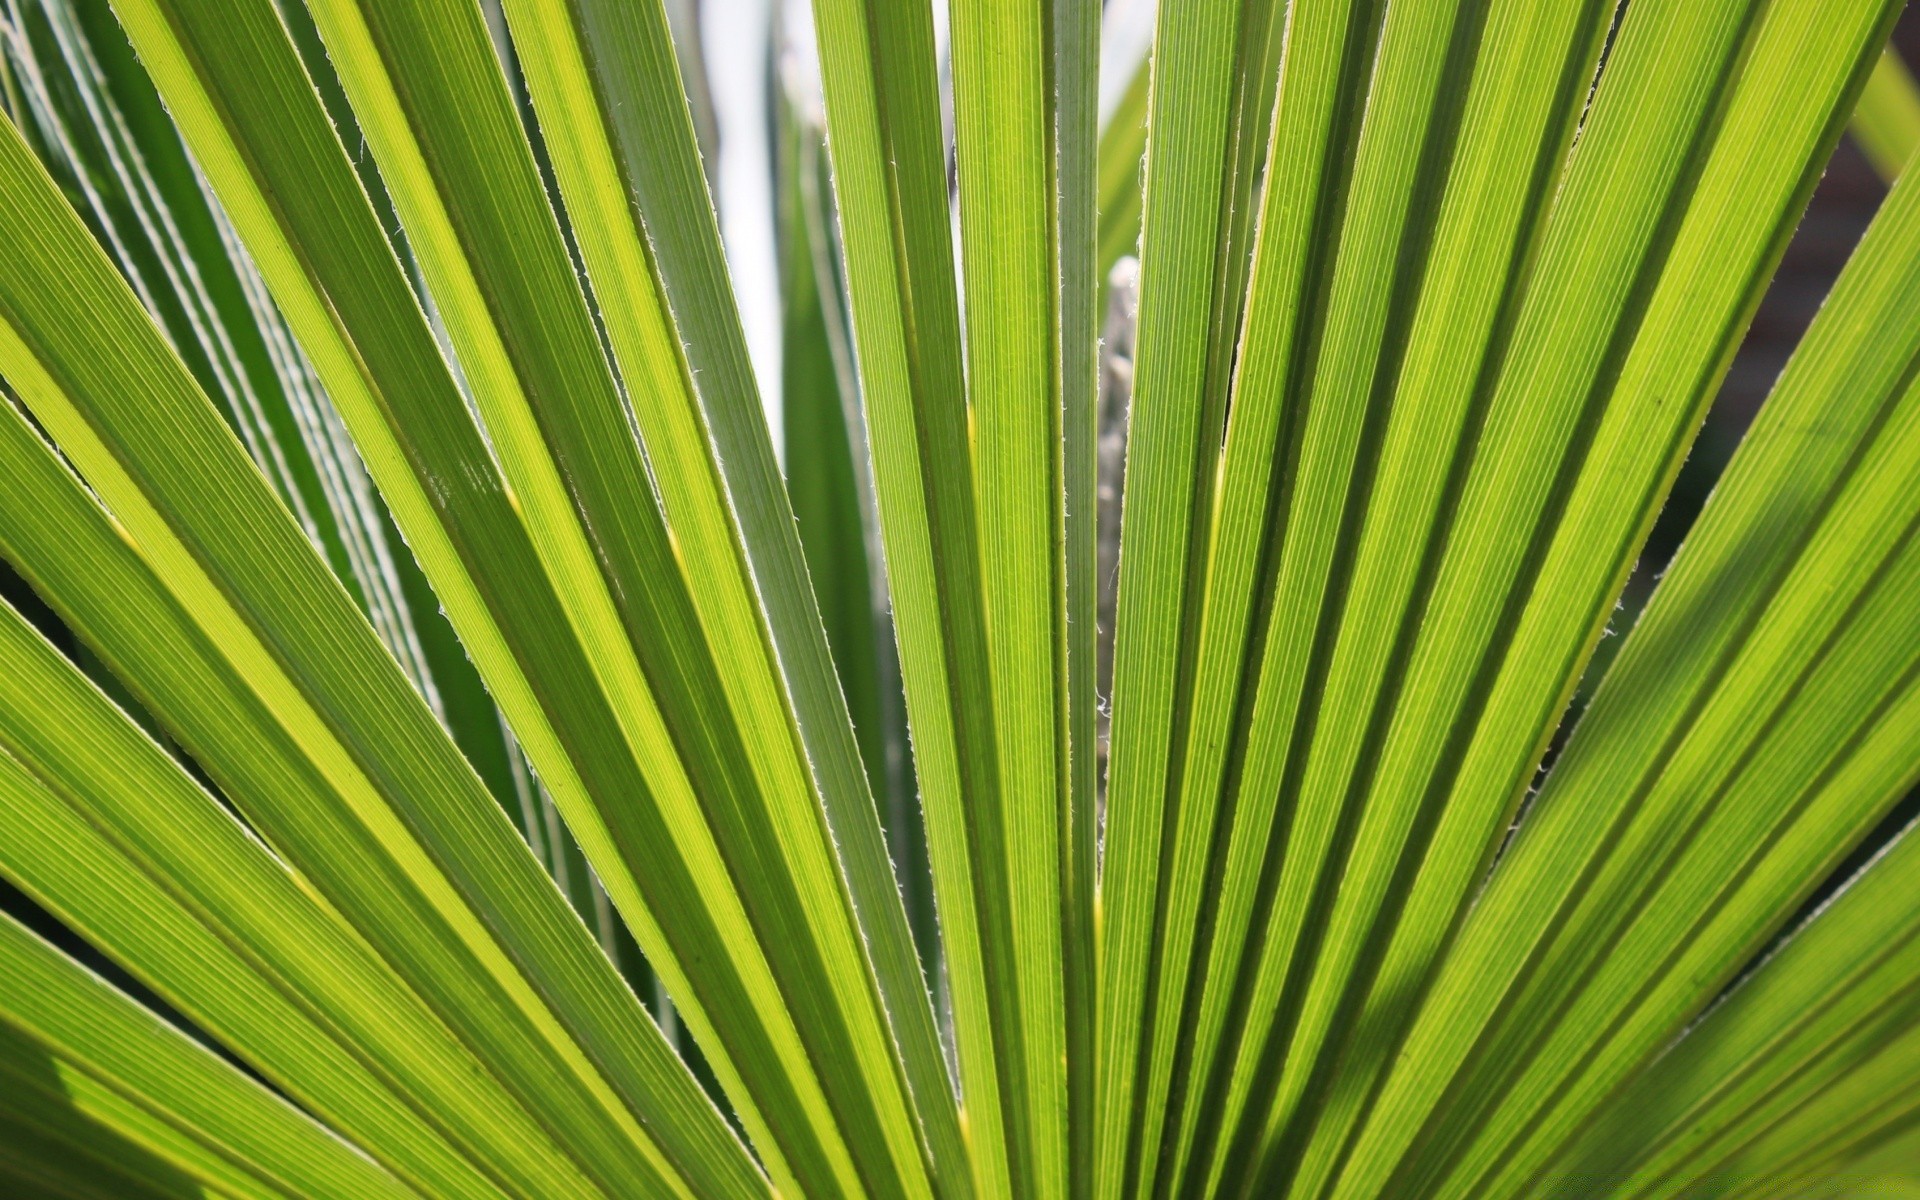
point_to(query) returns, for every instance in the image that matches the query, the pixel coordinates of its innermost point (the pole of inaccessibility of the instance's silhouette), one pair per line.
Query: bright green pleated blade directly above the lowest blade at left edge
(78, 763)
